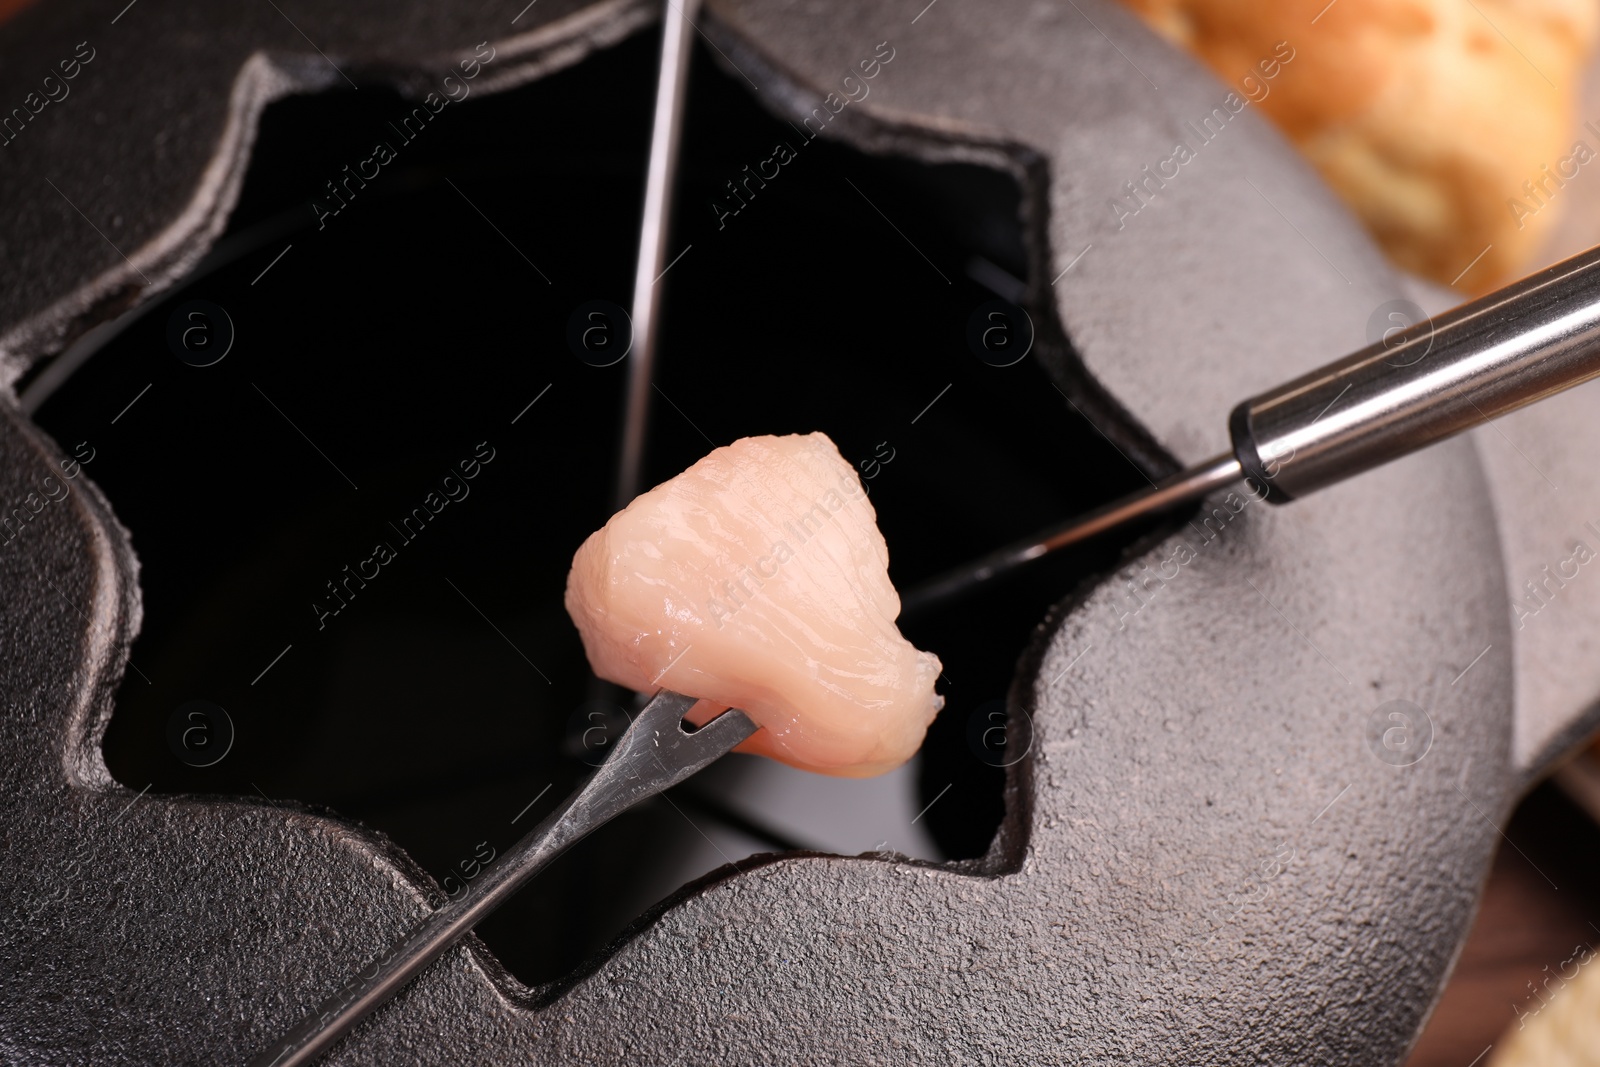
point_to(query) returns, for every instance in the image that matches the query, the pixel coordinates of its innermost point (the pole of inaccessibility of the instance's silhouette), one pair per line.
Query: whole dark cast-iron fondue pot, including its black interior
(1265, 754)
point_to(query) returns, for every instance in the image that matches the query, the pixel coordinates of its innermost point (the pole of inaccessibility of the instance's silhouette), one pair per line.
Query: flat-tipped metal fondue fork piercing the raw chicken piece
(652, 756)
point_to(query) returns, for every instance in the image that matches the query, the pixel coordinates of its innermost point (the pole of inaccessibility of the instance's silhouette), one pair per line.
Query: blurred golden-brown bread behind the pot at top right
(1447, 126)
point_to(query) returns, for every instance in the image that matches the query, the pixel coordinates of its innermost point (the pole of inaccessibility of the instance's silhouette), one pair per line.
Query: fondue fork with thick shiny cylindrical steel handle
(1426, 383)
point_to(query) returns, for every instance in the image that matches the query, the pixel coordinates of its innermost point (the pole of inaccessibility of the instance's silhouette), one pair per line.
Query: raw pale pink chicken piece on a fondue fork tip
(759, 580)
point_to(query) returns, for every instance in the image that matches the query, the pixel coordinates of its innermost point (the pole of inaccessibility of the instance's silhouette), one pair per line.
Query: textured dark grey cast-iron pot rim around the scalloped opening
(1210, 855)
